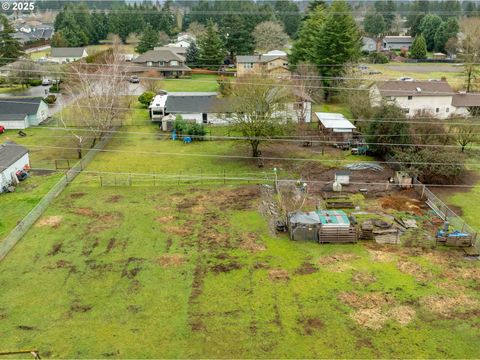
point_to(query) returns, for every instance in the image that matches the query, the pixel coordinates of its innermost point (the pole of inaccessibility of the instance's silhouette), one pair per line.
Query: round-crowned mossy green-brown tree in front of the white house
(259, 109)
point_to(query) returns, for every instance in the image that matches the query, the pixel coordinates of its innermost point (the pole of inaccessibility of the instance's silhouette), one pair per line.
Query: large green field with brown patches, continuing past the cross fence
(193, 271)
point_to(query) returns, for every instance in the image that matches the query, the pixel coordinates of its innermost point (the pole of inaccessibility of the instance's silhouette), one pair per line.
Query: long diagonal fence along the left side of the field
(26, 223)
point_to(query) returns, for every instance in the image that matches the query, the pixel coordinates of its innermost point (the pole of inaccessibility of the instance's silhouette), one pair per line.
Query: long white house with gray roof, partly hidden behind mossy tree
(208, 108)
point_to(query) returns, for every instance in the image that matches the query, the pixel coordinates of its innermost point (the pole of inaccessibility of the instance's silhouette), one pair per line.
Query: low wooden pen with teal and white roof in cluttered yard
(324, 226)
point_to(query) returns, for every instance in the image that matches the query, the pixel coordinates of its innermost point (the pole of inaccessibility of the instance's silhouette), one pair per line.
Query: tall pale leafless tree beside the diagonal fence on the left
(99, 94)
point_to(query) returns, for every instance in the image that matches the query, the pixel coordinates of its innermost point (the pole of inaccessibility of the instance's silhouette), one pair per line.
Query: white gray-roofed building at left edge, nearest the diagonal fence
(13, 158)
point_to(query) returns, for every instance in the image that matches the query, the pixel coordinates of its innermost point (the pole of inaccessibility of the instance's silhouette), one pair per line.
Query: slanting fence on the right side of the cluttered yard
(443, 211)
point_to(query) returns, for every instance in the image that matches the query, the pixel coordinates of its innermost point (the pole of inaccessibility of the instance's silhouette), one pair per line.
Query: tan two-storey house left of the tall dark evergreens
(273, 62)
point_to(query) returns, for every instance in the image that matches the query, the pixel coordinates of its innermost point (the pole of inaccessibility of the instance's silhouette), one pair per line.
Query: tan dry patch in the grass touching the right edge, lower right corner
(451, 307)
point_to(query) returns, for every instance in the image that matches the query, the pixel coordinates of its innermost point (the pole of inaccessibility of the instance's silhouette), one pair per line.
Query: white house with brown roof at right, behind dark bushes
(434, 97)
